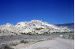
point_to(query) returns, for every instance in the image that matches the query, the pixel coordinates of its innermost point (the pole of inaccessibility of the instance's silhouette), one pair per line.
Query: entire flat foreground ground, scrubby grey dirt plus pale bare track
(36, 42)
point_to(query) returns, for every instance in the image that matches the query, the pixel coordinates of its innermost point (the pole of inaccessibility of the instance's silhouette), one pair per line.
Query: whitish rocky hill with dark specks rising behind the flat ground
(31, 27)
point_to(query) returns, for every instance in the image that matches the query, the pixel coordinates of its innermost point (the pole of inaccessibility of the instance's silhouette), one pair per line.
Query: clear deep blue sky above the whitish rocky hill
(51, 11)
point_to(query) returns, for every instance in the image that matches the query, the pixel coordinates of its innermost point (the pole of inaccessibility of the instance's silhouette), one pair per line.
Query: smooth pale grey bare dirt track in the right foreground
(57, 43)
